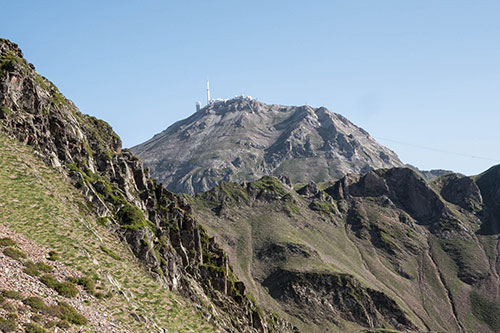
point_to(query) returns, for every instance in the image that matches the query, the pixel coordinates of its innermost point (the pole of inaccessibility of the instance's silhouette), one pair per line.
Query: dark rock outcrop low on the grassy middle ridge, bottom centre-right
(335, 295)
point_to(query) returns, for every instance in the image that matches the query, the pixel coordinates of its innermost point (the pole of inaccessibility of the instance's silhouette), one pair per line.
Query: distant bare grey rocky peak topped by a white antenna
(243, 139)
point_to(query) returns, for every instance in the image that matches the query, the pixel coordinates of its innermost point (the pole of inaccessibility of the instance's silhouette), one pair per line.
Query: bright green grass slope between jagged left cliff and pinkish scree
(40, 204)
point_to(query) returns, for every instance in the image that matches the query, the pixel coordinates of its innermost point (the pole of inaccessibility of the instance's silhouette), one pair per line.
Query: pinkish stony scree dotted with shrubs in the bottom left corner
(20, 288)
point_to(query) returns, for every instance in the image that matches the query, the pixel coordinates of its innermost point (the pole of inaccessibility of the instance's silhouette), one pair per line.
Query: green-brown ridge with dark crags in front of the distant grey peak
(385, 249)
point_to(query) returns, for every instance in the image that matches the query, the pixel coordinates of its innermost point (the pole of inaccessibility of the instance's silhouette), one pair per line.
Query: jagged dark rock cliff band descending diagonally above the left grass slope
(158, 225)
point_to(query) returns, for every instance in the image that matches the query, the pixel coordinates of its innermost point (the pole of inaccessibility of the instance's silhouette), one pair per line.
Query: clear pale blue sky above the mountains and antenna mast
(425, 72)
